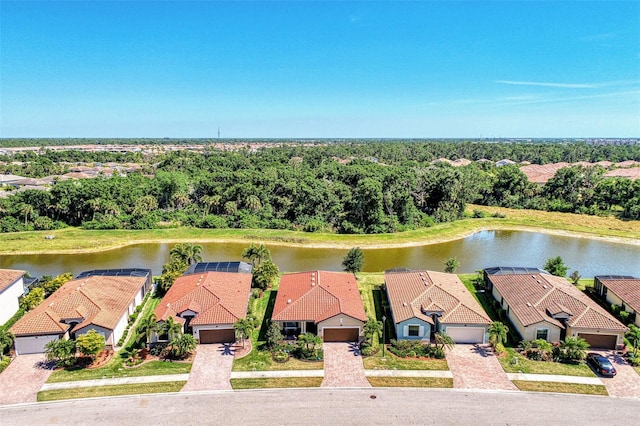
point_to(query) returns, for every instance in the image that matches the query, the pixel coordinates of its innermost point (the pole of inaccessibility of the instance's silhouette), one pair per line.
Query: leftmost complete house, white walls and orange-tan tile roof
(99, 300)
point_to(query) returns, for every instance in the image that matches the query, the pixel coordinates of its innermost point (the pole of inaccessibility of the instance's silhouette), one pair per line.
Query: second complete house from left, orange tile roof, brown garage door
(207, 304)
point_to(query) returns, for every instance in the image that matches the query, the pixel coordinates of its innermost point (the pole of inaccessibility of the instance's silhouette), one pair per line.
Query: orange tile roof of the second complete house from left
(215, 297)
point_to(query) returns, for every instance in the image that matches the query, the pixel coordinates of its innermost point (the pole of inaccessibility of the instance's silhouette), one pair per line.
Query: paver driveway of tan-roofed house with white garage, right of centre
(475, 368)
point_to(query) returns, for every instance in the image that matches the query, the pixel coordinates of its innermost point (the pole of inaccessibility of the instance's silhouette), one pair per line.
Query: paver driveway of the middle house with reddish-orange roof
(343, 366)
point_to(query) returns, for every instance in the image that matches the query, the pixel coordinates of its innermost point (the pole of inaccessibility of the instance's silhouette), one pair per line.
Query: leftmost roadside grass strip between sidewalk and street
(133, 389)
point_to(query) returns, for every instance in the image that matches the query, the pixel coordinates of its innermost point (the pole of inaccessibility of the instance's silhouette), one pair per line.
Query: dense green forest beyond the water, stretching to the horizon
(342, 187)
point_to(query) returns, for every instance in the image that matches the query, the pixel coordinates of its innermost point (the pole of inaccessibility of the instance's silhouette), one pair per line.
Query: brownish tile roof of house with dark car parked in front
(538, 297)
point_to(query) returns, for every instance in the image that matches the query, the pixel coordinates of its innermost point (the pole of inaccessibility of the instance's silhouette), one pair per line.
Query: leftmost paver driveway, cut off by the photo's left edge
(23, 378)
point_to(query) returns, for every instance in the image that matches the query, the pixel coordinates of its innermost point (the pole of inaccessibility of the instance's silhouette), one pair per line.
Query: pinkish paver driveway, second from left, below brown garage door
(211, 368)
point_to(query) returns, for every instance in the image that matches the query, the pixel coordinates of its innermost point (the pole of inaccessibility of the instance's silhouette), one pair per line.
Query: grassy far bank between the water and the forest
(76, 240)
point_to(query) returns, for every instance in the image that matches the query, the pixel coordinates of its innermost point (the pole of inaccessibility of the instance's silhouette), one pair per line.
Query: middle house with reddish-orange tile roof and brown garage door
(320, 302)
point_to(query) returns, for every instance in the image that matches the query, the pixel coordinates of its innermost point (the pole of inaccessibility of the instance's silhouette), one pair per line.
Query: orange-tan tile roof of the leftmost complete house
(95, 300)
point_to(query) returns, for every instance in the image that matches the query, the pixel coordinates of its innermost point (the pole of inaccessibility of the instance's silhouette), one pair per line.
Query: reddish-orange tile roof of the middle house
(316, 296)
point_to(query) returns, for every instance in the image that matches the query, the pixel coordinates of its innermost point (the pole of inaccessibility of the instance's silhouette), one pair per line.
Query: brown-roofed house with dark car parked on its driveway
(544, 306)
